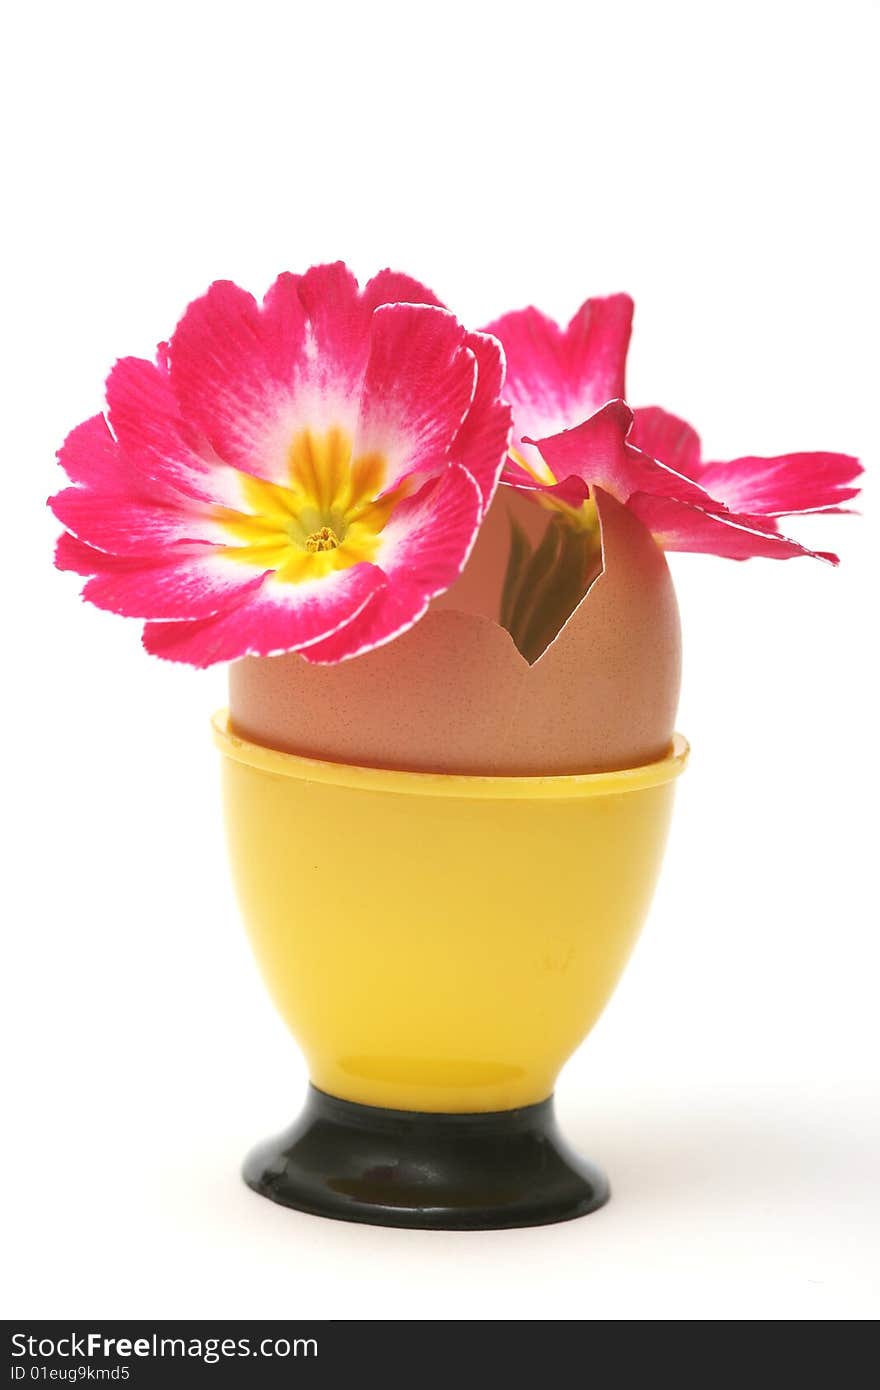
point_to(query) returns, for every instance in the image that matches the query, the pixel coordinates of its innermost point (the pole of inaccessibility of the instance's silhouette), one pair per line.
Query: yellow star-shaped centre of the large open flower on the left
(326, 516)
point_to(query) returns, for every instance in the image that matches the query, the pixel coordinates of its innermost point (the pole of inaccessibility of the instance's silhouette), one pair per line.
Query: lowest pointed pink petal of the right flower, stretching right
(678, 526)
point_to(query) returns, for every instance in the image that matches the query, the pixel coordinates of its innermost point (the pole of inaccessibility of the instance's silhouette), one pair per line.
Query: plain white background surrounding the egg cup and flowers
(721, 165)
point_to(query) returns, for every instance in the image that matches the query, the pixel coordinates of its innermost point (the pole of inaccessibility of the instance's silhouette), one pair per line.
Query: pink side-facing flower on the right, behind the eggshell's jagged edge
(572, 430)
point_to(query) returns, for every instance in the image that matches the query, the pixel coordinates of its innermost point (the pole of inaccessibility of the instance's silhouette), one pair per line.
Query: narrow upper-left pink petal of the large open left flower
(163, 458)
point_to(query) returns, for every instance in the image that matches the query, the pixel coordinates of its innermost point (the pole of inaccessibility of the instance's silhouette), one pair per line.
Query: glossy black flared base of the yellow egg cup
(426, 1171)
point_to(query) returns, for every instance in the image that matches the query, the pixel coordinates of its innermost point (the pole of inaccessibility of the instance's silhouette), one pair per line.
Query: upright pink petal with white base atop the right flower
(560, 377)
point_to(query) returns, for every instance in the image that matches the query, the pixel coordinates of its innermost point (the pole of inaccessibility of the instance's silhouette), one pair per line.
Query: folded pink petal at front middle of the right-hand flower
(598, 452)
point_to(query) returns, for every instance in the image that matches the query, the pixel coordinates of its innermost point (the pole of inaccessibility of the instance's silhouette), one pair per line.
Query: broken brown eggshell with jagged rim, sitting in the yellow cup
(455, 696)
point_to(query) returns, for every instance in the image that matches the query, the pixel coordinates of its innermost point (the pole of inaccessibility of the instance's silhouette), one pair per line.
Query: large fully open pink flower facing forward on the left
(304, 475)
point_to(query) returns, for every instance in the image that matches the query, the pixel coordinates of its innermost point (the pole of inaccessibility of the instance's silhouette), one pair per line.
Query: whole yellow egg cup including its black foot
(439, 946)
